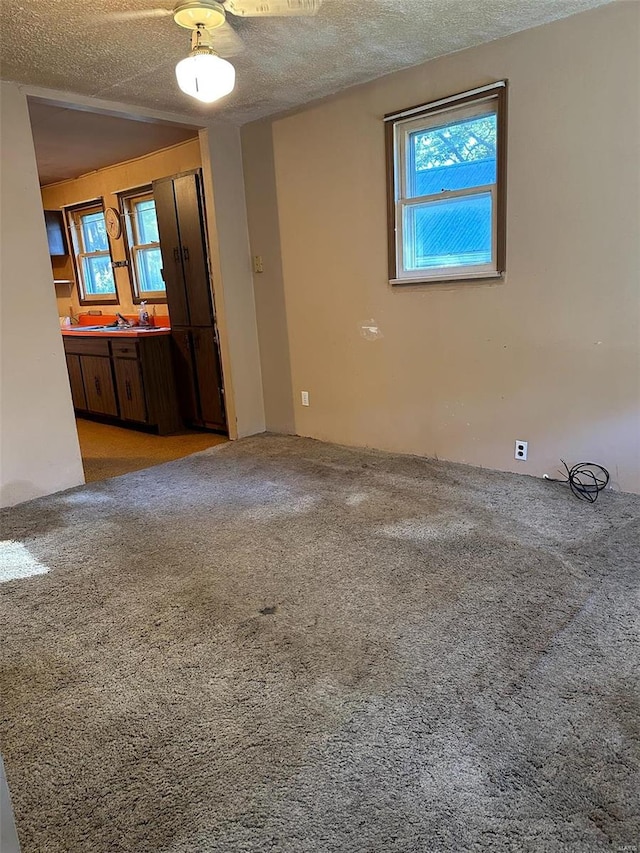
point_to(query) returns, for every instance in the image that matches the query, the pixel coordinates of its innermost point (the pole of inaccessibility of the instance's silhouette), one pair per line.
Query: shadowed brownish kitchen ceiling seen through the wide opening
(70, 143)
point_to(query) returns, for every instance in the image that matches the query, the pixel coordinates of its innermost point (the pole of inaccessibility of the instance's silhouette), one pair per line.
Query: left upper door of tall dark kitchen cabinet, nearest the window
(171, 250)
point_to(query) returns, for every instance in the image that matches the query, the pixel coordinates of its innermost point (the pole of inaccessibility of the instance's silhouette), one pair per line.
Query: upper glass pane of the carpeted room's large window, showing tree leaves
(454, 156)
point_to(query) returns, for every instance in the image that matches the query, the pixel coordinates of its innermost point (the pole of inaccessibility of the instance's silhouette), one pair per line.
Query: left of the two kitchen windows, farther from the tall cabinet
(91, 252)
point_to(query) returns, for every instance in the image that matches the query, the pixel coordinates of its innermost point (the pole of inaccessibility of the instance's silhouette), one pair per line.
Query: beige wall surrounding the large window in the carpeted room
(552, 354)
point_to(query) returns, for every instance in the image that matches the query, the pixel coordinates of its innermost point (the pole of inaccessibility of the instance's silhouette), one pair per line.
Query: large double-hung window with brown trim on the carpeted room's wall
(446, 188)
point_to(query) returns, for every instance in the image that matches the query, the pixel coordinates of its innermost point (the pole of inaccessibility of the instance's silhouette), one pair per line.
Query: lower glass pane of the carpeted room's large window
(448, 233)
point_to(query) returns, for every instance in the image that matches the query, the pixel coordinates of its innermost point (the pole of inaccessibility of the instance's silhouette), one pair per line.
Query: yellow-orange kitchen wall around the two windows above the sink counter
(105, 183)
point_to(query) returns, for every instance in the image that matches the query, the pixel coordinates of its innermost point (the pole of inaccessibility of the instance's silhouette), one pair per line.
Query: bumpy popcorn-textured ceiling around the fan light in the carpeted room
(76, 46)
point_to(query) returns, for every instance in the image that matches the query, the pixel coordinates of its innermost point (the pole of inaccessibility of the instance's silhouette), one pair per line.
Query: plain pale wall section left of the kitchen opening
(39, 450)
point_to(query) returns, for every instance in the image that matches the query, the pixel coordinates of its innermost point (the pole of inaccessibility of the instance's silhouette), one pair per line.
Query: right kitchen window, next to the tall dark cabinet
(143, 245)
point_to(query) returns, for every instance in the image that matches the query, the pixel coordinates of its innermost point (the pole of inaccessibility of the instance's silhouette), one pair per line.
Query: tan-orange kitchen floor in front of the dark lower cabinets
(110, 451)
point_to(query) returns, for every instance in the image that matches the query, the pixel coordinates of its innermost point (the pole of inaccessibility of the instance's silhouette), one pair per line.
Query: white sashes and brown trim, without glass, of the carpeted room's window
(400, 127)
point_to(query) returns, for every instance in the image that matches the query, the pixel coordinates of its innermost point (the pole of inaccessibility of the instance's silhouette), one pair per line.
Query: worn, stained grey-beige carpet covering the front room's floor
(282, 645)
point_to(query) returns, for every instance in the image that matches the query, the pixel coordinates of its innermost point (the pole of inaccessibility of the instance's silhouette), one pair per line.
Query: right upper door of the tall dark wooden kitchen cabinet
(194, 250)
